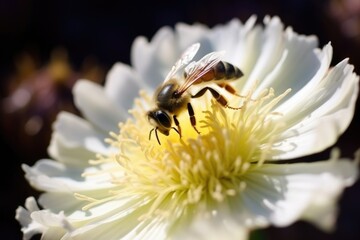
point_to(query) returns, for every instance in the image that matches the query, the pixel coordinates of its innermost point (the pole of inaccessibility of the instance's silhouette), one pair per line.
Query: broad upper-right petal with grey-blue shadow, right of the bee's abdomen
(296, 63)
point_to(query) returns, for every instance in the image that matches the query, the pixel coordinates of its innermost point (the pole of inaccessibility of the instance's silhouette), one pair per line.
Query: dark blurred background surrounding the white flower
(47, 45)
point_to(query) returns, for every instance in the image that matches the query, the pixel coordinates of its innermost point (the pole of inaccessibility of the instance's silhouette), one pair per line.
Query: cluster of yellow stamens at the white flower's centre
(181, 173)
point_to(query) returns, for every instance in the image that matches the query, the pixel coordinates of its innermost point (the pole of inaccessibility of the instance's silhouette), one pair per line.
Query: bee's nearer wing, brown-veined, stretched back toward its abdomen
(195, 70)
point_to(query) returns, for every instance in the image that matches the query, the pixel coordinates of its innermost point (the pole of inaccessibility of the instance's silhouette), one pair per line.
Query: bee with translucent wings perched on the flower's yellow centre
(172, 98)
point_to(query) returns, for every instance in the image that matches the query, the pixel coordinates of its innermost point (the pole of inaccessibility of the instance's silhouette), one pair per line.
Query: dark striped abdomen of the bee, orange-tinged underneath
(226, 71)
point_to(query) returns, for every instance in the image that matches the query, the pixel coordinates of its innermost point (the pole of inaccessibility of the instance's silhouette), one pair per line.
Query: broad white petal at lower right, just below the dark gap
(282, 194)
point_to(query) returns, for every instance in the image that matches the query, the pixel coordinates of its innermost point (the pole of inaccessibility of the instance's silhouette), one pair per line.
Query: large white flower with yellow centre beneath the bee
(220, 184)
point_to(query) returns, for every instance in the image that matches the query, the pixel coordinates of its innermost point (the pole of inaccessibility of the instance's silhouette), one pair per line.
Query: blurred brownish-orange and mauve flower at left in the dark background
(35, 95)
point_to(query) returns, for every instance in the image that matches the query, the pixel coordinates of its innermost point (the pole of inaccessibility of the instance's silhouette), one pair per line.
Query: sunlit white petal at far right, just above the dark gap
(323, 116)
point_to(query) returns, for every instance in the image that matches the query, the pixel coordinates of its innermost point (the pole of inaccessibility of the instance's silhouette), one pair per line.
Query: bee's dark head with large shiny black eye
(160, 120)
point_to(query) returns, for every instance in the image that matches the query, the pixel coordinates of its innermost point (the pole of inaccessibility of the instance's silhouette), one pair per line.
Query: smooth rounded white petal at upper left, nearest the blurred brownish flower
(92, 101)
